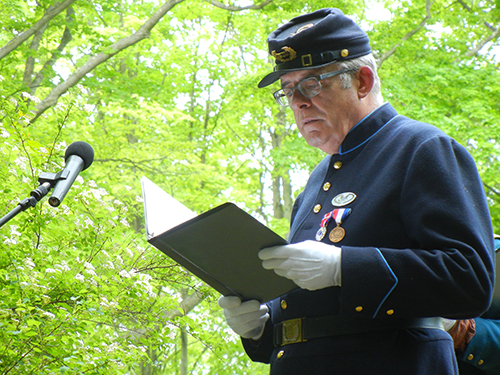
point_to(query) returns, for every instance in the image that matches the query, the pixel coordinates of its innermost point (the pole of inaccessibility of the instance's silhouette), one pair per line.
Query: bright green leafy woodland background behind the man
(168, 91)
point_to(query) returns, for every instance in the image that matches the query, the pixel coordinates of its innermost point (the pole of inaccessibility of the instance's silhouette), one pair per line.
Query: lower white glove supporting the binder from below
(247, 319)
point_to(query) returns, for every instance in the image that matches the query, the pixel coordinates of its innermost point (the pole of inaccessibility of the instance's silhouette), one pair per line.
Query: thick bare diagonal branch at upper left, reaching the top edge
(98, 59)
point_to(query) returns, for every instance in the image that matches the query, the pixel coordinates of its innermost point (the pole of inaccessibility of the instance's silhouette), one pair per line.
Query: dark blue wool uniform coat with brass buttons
(418, 243)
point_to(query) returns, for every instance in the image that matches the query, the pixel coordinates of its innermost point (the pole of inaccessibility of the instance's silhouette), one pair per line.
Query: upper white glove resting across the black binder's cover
(310, 264)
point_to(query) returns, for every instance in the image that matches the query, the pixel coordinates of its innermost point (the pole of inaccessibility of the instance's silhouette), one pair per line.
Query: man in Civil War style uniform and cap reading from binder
(391, 230)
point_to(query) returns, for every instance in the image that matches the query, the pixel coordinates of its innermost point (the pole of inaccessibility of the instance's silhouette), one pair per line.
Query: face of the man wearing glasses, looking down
(324, 119)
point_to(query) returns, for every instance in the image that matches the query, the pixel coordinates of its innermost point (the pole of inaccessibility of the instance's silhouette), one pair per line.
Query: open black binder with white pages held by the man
(220, 247)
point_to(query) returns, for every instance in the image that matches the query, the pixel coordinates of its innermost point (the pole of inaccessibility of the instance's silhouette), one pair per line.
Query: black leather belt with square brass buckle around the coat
(302, 329)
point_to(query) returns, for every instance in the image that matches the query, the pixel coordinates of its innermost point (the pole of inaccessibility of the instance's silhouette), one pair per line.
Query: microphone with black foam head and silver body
(78, 157)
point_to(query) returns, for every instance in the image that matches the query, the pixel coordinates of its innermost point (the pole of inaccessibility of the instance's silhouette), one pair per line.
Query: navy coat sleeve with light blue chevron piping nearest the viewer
(449, 272)
